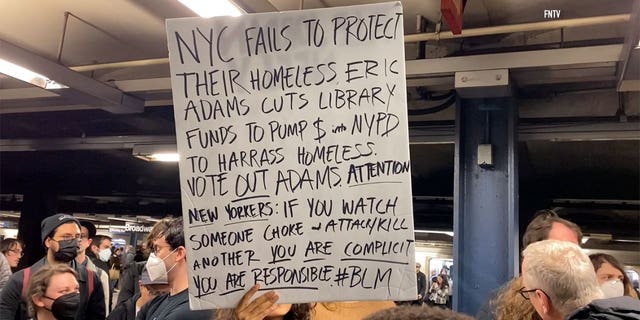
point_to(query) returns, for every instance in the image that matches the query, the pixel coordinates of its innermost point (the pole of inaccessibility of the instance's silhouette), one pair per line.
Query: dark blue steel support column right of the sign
(485, 218)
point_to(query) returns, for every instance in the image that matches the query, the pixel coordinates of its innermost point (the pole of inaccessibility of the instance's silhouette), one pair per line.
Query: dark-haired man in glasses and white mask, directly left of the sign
(168, 261)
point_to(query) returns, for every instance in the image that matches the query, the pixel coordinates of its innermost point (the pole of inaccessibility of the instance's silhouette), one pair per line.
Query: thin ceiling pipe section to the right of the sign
(522, 27)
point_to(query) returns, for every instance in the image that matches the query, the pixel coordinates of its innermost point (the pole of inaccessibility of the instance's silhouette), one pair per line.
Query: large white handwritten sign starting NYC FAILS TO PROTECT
(294, 155)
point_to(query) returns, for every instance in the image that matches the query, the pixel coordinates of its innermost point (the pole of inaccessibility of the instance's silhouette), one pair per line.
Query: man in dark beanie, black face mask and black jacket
(60, 234)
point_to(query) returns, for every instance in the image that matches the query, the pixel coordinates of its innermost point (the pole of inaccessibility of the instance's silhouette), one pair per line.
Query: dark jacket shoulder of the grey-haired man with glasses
(620, 308)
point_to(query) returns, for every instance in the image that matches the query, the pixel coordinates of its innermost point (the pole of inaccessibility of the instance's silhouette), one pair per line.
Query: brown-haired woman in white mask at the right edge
(611, 277)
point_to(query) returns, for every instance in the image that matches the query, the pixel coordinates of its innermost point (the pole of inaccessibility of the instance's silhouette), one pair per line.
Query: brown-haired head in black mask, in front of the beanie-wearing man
(53, 293)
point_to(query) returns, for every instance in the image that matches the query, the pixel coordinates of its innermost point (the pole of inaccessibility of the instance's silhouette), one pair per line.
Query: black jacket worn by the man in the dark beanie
(12, 306)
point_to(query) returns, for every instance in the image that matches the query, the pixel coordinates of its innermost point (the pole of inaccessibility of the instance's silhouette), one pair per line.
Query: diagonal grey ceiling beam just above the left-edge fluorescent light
(110, 99)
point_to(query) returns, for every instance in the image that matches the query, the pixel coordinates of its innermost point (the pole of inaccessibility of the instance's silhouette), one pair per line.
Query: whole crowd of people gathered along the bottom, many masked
(81, 270)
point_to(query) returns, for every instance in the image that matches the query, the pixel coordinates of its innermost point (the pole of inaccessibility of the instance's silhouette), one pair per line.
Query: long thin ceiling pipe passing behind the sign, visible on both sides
(523, 27)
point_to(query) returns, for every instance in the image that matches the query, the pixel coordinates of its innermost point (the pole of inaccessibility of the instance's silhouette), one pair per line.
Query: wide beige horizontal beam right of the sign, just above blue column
(513, 60)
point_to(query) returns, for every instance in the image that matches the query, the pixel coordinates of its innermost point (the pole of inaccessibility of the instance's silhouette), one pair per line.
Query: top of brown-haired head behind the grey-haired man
(546, 224)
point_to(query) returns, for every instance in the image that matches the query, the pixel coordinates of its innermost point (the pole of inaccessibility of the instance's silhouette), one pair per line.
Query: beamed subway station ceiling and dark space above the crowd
(576, 88)
